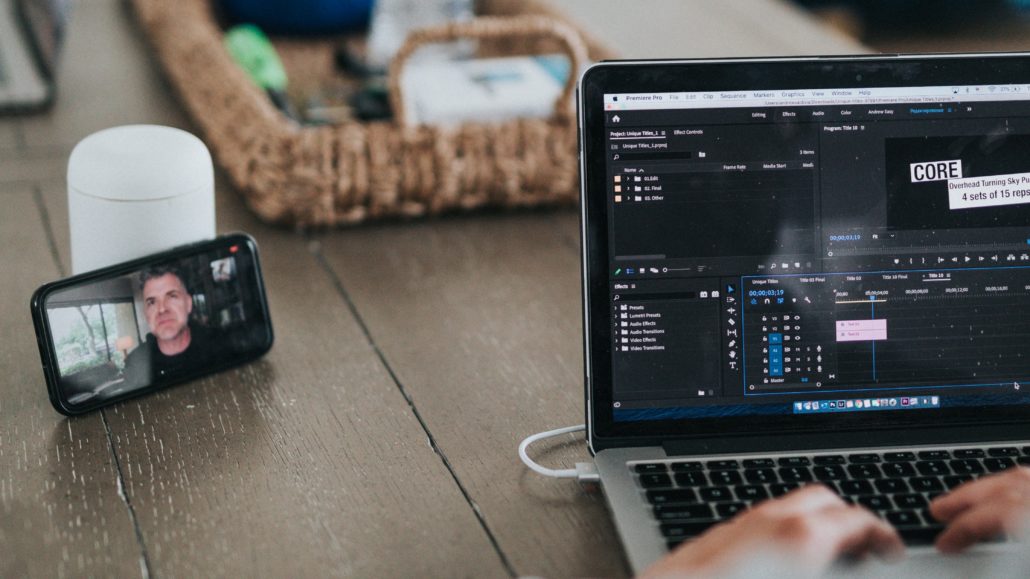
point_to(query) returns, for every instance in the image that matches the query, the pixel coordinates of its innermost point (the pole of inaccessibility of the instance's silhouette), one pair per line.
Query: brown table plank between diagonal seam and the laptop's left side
(479, 319)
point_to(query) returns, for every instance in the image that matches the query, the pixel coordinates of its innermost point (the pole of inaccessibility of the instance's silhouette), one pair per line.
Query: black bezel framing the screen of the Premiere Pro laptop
(740, 75)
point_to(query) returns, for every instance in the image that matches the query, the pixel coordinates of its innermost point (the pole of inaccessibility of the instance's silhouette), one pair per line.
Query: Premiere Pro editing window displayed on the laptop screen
(818, 251)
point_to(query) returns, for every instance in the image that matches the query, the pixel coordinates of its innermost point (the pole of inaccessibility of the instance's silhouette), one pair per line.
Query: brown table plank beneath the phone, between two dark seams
(307, 463)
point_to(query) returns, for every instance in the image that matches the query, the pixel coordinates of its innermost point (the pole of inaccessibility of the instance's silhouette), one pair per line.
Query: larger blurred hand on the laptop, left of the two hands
(812, 527)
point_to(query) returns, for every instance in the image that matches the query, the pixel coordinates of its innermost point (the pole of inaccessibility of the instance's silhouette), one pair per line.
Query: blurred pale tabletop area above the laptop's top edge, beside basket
(649, 29)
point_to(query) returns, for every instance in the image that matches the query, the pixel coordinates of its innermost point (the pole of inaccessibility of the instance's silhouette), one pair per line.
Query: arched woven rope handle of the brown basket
(491, 27)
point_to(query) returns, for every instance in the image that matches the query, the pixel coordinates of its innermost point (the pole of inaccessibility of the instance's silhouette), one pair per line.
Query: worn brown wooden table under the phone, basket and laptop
(379, 436)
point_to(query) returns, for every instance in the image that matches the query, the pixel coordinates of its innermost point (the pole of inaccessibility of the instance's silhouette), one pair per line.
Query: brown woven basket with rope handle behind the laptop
(355, 173)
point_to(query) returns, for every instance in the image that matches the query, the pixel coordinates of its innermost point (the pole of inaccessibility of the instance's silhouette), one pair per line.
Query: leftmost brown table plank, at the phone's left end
(61, 514)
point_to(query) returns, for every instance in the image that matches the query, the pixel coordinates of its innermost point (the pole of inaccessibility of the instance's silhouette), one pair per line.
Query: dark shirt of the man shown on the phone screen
(147, 365)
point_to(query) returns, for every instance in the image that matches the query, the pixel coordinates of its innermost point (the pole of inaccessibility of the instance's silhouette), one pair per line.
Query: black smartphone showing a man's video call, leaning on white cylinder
(130, 329)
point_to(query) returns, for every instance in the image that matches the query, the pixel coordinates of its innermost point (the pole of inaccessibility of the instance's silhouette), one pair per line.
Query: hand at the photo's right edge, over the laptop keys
(983, 509)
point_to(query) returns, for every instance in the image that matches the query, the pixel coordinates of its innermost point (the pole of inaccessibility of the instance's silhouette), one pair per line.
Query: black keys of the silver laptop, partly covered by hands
(689, 497)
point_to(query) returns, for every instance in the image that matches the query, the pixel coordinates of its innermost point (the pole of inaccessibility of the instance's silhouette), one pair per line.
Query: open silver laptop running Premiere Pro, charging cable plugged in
(804, 270)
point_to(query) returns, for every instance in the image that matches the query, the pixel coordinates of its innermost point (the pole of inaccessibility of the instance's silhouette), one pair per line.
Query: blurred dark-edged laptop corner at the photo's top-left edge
(31, 33)
